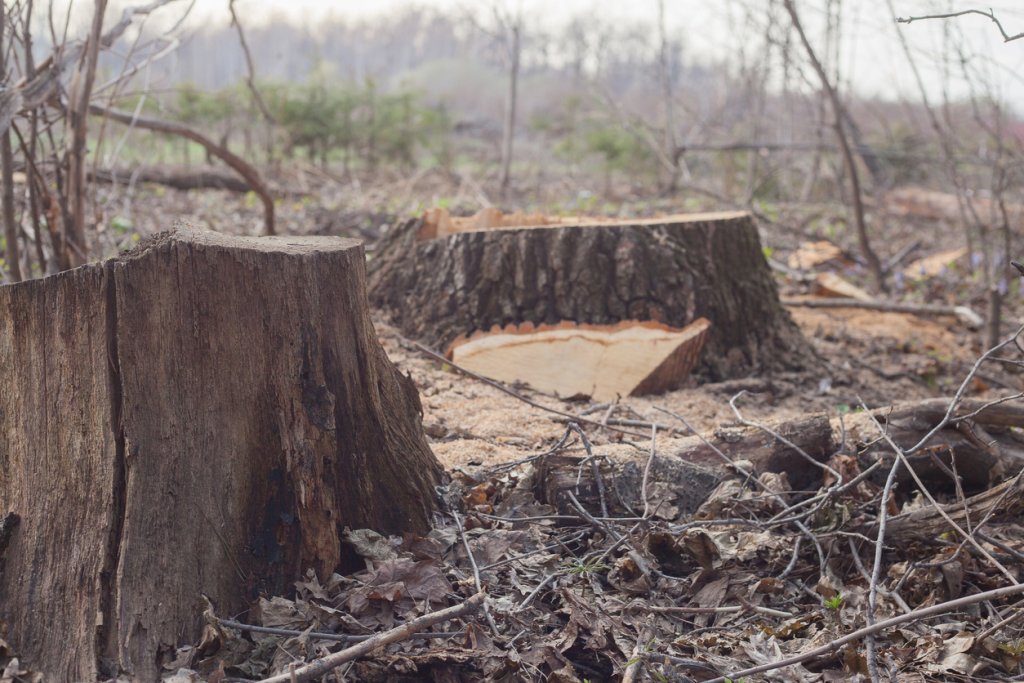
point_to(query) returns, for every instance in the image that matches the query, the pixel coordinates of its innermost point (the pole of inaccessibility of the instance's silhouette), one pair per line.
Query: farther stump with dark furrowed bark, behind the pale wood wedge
(671, 271)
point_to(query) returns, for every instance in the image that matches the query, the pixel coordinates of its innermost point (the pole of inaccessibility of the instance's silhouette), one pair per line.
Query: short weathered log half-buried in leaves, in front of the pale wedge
(689, 473)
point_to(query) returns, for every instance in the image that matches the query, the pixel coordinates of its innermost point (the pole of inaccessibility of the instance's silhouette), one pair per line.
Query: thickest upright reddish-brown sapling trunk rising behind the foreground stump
(81, 92)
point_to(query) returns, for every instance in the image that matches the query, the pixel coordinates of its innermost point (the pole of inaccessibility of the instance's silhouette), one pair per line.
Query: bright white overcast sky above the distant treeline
(873, 60)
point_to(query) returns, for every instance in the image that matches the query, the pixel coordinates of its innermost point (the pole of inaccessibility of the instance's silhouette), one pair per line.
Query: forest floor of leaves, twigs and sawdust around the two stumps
(652, 590)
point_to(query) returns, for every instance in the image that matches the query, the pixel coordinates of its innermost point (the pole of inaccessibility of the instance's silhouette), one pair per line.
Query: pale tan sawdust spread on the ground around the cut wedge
(879, 358)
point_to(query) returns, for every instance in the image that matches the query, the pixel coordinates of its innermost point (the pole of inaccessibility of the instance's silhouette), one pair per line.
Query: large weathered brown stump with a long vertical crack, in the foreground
(201, 416)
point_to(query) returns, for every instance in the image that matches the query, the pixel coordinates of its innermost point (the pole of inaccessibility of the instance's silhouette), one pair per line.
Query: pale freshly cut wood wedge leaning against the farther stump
(602, 362)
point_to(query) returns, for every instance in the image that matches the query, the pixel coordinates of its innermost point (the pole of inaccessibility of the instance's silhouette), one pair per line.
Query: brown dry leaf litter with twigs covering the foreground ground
(695, 597)
